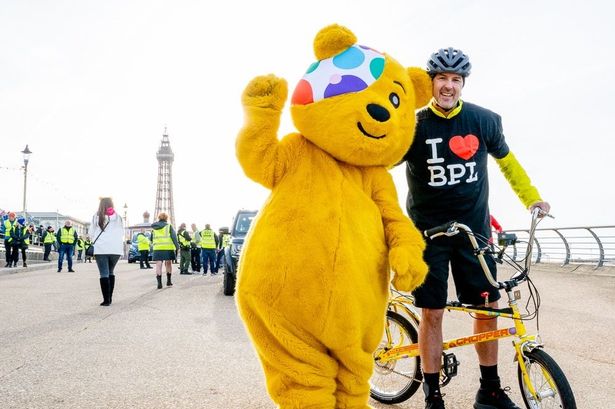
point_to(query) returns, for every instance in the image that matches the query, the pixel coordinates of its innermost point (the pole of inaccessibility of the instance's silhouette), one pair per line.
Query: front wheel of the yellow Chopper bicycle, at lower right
(548, 380)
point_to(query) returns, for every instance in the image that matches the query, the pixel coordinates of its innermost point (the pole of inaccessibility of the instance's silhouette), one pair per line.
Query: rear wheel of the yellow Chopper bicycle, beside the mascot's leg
(395, 381)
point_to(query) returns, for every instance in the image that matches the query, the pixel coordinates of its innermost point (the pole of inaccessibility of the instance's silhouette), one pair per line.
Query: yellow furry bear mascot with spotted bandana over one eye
(314, 276)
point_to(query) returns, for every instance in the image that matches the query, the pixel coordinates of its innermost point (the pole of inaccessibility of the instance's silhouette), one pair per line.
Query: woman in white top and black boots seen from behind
(107, 229)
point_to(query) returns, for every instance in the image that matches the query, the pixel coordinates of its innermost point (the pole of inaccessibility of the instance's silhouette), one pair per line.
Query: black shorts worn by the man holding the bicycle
(470, 281)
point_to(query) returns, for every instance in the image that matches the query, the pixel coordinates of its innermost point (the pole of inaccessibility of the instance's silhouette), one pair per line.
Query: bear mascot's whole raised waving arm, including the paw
(257, 147)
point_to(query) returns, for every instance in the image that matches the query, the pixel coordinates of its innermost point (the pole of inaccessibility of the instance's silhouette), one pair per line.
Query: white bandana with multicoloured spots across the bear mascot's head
(352, 70)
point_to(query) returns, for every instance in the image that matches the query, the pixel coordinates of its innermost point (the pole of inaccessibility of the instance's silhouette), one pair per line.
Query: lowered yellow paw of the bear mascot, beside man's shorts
(409, 267)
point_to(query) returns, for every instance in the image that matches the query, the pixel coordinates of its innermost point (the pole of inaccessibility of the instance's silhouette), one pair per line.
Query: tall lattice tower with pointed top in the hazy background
(164, 190)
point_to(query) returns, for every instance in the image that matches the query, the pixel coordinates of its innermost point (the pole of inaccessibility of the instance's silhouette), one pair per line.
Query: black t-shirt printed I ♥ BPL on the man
(447, 167)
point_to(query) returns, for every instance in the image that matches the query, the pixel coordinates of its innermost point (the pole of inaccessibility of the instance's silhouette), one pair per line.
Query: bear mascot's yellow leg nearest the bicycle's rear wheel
(355, 369)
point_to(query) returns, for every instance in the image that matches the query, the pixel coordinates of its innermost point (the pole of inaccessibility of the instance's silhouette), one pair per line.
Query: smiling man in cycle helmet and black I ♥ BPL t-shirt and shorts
(447, 179)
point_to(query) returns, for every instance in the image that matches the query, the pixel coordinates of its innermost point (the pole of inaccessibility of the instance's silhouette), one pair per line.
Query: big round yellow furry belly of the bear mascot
(317, 251)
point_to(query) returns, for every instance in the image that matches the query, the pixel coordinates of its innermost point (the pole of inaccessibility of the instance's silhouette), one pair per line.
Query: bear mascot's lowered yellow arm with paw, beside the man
(405, 242)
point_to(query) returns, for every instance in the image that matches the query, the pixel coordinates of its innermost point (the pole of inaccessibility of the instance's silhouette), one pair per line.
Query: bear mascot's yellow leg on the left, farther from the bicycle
(299, 371)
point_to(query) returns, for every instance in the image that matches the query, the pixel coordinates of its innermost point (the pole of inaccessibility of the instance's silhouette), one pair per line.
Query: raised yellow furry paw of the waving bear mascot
(266, 91)
